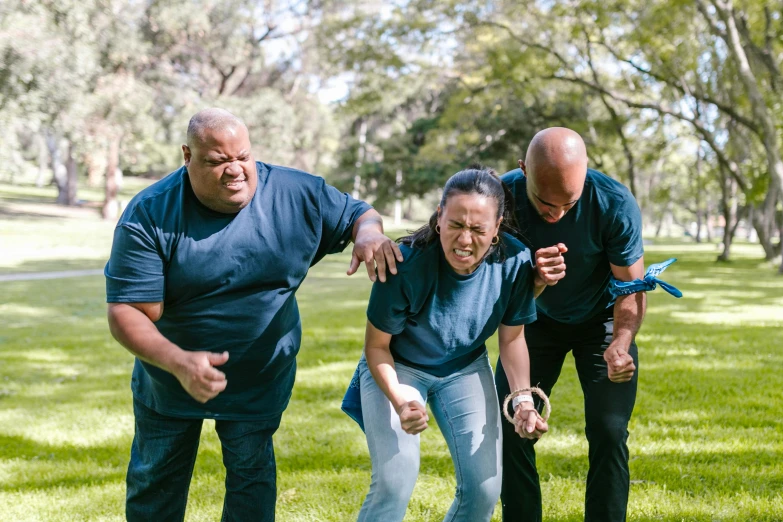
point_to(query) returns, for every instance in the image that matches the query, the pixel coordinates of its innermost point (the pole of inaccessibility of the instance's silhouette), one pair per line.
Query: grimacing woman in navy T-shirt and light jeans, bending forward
(463, 278)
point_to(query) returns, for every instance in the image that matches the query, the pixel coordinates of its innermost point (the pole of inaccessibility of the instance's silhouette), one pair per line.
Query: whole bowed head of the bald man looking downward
(556, 167)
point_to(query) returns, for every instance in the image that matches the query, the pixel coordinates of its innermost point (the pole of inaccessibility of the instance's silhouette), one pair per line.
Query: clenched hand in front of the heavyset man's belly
(196, 373)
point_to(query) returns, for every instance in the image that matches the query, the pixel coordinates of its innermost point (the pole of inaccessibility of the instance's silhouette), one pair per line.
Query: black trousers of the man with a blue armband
(608, 408)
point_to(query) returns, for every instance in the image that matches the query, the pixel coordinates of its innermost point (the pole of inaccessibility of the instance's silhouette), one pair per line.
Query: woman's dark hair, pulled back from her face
(473, 180)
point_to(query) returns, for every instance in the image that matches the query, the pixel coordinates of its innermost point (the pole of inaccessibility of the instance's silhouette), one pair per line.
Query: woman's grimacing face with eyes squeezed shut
(468, 223)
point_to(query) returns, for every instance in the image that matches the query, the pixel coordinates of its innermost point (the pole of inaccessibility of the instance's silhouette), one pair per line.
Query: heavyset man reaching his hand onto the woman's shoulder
(201, 287)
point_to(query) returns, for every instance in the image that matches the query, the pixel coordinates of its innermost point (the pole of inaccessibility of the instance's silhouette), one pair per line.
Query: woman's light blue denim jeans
(465, 406)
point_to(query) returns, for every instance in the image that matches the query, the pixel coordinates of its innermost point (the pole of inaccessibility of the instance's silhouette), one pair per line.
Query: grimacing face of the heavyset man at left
(222, 170)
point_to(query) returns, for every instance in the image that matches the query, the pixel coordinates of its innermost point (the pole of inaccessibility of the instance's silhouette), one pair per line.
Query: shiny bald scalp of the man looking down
(557, 156)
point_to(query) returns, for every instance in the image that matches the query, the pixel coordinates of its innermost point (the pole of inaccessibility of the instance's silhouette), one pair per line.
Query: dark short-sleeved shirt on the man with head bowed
(603, 227)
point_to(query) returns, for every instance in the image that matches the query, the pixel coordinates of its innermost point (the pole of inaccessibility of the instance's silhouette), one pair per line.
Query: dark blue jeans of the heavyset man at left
(161, 465)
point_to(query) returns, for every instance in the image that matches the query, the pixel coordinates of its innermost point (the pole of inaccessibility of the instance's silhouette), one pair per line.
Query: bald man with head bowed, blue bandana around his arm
(580, 218)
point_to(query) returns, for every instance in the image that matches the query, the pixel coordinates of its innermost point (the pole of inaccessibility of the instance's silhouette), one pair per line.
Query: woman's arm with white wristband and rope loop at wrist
(516, 364)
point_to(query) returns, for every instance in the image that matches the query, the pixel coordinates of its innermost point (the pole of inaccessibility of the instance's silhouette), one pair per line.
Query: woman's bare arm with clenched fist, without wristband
(413, 415)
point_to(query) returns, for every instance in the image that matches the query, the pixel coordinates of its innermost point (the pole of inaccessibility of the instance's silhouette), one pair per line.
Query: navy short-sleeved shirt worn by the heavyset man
(227, 282)
